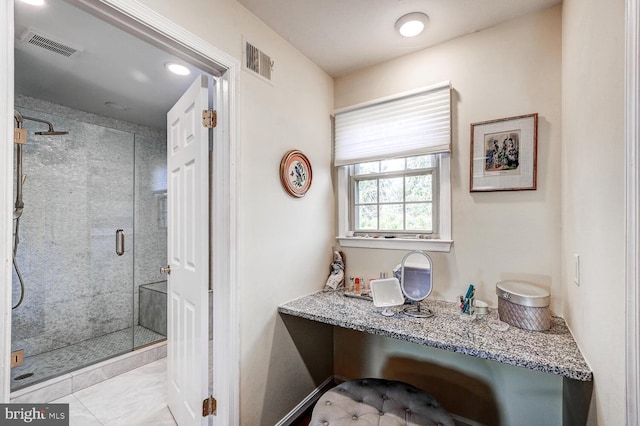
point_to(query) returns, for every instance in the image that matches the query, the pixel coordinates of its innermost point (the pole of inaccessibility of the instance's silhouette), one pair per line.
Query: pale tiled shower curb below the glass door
(69, 383)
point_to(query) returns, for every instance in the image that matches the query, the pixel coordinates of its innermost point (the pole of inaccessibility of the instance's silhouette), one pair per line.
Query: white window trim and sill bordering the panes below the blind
(441, 243)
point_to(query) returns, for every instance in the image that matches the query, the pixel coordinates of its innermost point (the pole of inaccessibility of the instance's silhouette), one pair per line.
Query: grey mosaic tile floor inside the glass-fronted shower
(61, 361)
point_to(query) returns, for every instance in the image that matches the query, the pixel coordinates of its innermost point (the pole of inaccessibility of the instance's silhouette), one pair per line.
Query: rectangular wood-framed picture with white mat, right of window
(504, 154)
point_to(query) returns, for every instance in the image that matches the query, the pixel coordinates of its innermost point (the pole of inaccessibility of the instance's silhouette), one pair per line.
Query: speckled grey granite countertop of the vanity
(553, 351)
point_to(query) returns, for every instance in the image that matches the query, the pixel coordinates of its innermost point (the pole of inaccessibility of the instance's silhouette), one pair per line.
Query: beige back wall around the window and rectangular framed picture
(508, 70)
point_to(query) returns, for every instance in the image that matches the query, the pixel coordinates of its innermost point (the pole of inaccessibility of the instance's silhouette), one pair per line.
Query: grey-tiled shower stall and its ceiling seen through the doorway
(79, 296)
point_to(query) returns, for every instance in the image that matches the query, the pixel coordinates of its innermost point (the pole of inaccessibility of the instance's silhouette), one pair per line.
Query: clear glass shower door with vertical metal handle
(79, 191)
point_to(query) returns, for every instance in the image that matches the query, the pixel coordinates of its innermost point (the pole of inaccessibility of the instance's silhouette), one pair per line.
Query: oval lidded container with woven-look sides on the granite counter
(523, 305)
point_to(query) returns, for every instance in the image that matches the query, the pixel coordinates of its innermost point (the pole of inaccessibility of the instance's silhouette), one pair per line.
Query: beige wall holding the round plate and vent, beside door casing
(284, 243)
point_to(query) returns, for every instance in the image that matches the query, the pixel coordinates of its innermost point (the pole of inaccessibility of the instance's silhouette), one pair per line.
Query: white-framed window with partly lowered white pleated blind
(393, 166)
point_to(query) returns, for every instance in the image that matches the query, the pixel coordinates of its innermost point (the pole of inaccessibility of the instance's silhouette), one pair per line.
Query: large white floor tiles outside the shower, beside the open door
(135, 398)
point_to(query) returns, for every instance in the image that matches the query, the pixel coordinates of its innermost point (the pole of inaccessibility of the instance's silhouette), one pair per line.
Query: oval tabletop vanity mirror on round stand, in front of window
(416, 275)
